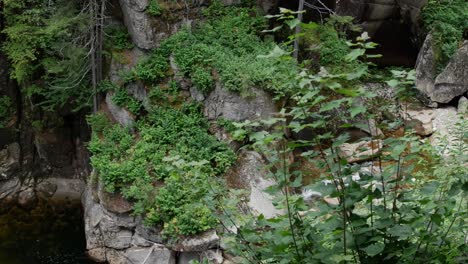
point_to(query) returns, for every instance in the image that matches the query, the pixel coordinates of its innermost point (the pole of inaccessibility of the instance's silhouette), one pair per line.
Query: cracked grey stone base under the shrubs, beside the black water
(115, 236)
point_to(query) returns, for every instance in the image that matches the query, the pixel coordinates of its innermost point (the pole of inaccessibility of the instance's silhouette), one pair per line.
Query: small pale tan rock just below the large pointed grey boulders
(420, 120)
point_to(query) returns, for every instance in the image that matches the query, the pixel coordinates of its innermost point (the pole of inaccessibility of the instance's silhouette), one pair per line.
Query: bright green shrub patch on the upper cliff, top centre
(229, 44)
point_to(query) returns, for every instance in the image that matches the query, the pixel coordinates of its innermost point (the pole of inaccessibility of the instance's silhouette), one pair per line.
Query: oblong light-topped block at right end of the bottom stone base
(200, 242)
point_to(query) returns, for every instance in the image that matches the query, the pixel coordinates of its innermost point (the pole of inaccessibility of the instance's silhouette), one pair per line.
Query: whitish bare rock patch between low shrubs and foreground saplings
(249, 173)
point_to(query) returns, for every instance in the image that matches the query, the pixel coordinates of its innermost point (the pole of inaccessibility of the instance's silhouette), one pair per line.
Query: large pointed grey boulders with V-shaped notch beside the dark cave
(451, 82)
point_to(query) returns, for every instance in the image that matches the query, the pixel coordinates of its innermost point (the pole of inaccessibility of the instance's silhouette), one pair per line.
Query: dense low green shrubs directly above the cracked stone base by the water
(172, 147)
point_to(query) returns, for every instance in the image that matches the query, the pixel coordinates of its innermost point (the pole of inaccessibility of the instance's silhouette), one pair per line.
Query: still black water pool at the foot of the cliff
(50, 233)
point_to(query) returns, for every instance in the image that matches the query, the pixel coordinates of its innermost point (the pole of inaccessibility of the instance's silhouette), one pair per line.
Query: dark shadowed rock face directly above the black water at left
(42, 154)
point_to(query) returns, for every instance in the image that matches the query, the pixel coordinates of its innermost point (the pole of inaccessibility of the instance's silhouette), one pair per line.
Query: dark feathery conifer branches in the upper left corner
(45, 46)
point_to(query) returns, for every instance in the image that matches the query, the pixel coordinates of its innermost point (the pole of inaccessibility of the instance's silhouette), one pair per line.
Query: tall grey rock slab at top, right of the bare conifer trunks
(138, 23)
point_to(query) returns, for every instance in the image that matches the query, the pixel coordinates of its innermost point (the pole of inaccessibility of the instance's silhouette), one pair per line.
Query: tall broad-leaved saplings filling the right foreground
(407, 205)
